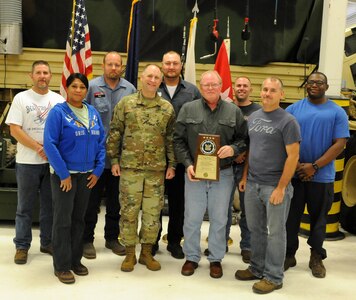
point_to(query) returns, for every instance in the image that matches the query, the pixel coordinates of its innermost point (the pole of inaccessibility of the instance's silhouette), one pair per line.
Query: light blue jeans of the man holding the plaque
(214, 195)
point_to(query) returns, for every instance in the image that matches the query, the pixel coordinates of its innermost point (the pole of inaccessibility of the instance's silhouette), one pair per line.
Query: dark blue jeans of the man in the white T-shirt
(31, 179)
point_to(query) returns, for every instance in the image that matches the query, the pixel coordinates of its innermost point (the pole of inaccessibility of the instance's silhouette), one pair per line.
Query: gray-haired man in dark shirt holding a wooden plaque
(209, 134)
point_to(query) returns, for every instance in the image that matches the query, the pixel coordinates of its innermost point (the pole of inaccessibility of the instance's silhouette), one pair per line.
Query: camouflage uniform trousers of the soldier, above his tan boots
(140, 189)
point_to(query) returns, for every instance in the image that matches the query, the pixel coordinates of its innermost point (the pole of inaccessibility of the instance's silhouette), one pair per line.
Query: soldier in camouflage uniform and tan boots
(139, 145)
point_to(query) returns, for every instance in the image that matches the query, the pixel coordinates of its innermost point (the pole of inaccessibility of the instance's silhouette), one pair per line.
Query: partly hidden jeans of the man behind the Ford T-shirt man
(245, 233)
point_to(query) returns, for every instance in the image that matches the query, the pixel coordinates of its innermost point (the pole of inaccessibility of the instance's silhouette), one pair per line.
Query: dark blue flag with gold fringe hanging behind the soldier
(133, 37)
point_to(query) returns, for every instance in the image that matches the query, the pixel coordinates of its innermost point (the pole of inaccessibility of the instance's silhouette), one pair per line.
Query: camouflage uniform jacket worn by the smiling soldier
(141, 133)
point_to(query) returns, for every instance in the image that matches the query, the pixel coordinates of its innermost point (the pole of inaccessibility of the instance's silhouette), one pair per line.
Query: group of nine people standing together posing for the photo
(135, 146)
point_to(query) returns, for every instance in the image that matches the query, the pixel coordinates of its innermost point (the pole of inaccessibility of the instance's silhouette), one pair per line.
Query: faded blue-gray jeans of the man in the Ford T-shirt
(267, 224)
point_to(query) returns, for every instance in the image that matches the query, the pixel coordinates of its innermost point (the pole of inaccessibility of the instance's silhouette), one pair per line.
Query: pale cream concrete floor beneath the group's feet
(35, 280)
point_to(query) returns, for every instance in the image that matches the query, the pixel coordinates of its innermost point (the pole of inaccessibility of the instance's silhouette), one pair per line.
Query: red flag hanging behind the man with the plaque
(223, 68)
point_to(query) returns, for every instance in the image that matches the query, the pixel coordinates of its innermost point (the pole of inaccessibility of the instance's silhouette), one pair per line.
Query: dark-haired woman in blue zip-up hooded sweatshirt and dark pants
(74, 142)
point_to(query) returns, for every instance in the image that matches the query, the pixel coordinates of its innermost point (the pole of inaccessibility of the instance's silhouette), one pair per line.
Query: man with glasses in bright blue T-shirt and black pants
(324, 130)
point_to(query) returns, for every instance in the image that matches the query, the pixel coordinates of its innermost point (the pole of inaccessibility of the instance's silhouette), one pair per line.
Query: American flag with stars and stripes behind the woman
(78, 57)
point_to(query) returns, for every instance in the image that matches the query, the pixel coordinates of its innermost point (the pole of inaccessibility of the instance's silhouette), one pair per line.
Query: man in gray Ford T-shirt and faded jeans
(274, 152)
